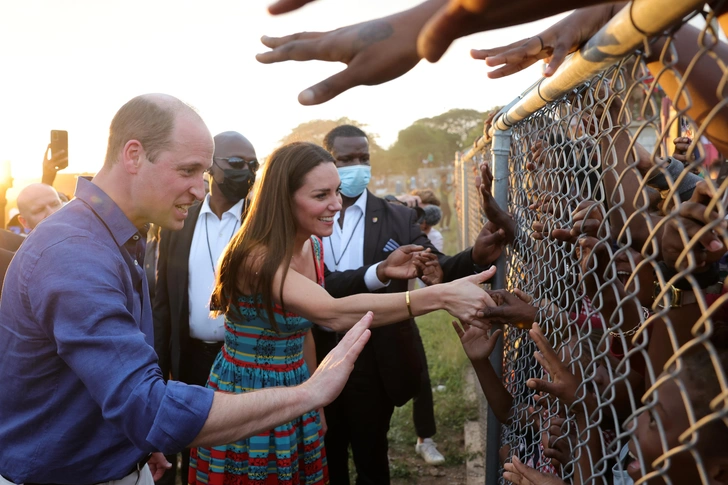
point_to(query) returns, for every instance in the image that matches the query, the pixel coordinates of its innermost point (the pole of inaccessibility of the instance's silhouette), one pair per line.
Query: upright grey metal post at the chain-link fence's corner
(500, 150)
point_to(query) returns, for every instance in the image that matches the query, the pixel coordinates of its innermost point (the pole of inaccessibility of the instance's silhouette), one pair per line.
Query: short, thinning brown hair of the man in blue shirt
(146, 120)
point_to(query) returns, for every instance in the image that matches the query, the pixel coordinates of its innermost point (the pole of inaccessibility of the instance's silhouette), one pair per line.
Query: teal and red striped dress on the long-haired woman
(256, 357)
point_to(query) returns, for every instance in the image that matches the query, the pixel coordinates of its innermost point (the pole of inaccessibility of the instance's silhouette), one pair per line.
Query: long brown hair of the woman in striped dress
(269, 226)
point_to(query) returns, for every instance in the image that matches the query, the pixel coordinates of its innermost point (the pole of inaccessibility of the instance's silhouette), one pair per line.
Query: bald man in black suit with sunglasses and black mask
(186, 338)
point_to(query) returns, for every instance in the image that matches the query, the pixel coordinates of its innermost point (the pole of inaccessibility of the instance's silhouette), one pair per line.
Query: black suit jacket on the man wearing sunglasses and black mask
(171, 299)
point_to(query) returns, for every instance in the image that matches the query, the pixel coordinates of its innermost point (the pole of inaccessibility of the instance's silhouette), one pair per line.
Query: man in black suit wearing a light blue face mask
(387, 373)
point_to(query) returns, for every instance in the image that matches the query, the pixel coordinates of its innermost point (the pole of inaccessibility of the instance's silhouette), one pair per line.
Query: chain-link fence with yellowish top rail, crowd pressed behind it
(617, 183)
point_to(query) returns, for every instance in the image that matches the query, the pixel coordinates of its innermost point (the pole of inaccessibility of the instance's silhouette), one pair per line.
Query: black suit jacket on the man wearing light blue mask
(395, 353)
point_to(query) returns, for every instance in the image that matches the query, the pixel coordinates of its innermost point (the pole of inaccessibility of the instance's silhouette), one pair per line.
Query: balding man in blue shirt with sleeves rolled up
(83, 400)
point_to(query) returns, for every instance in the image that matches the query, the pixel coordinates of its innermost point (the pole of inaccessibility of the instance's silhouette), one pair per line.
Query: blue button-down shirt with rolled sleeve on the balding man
(82, 398)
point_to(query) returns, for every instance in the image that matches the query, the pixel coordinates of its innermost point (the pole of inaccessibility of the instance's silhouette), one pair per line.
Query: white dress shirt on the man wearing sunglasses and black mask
(208, 242)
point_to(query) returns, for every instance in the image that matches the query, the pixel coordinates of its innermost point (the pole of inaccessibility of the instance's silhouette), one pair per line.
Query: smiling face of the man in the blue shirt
(167, 188)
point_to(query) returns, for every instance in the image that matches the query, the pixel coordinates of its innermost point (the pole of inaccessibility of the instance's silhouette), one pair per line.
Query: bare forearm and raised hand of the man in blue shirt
(235, 416)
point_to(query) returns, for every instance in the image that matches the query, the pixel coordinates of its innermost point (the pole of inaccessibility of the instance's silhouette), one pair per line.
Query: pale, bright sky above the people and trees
(69, 65)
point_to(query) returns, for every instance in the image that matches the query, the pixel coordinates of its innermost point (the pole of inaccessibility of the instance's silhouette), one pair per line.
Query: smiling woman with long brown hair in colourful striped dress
(270, 289)
